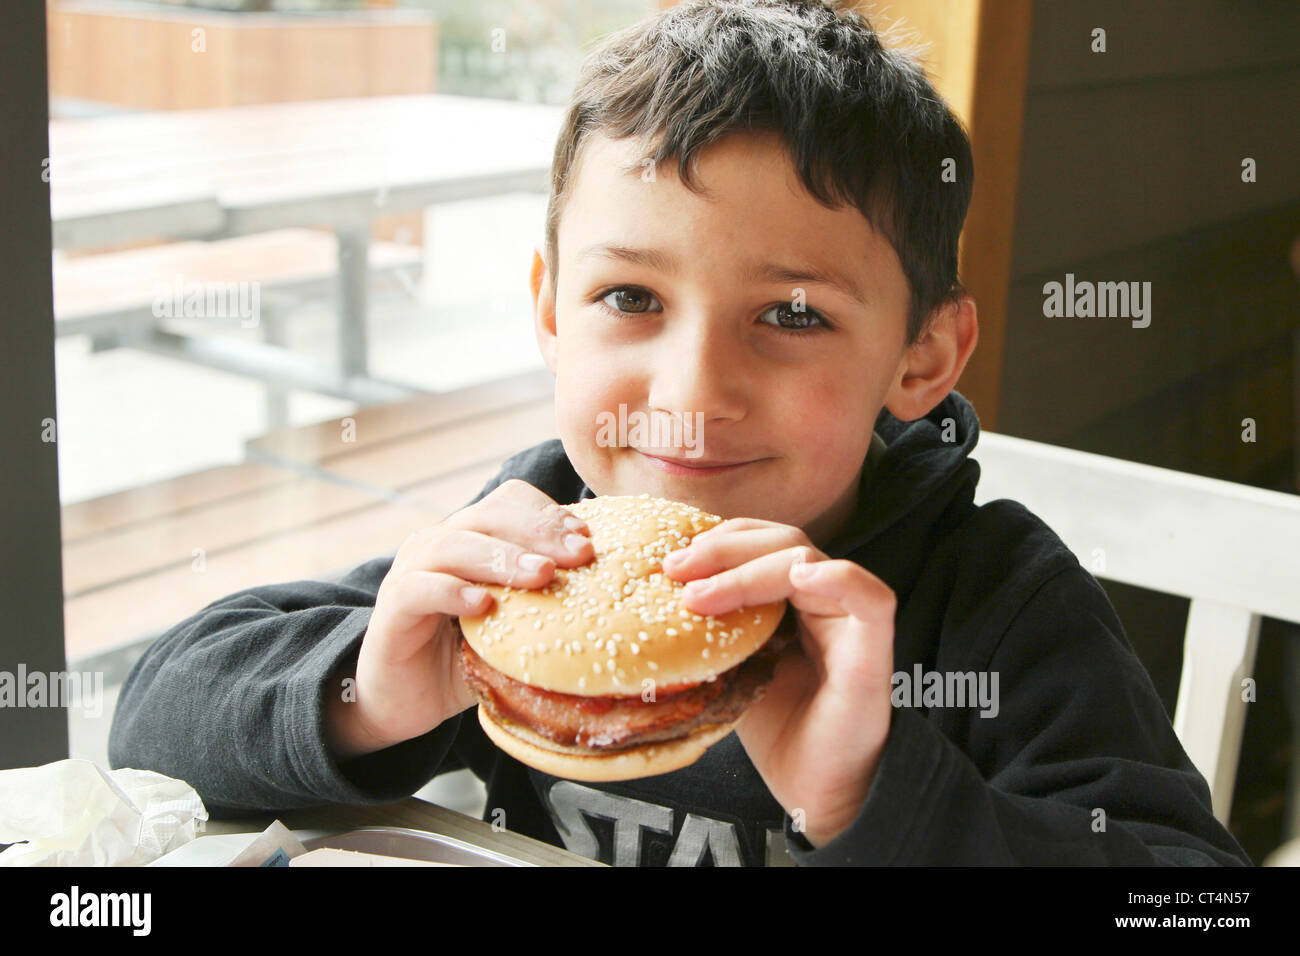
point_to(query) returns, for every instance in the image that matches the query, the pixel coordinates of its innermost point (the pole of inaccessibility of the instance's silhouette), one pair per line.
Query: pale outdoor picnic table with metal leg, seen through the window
(219, 174)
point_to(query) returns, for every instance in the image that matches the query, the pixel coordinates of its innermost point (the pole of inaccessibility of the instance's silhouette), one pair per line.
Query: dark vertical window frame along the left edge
(32, 630)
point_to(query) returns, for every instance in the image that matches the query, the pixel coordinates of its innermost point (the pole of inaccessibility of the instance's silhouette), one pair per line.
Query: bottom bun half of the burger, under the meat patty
(648, 760)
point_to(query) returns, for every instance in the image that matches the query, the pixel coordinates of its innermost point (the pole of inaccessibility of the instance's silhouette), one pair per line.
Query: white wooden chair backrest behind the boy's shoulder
(1233, 550)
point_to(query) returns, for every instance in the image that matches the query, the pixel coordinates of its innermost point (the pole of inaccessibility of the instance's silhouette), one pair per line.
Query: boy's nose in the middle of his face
(699, 373)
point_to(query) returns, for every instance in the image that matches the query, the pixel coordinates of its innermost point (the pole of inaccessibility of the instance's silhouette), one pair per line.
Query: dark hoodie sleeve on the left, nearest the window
(232, 702)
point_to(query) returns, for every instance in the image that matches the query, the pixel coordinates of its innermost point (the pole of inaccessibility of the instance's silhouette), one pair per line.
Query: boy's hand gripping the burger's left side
(409, 676)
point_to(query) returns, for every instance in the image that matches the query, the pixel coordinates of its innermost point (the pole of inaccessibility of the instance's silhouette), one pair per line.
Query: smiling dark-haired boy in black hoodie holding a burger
(749, 228)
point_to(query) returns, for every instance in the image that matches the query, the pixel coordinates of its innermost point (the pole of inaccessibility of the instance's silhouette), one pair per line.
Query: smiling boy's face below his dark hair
(700, 336)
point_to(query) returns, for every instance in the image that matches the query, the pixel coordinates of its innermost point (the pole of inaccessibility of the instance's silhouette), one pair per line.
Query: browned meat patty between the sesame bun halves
(614, 724)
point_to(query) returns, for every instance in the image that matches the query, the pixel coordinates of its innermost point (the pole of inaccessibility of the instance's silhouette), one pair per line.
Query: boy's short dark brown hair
(864, 124)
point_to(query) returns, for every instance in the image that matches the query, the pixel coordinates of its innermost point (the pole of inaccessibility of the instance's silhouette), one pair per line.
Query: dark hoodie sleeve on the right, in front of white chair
(1080, 767)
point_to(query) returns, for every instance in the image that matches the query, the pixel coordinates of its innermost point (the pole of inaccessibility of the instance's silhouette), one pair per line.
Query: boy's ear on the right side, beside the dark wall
(931, 366)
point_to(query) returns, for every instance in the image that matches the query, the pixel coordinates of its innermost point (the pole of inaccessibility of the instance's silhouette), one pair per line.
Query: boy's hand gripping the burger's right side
(818, 733)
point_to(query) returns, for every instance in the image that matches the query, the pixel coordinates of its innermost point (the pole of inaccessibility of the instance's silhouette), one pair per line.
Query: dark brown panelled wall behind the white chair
(1132, 171)
